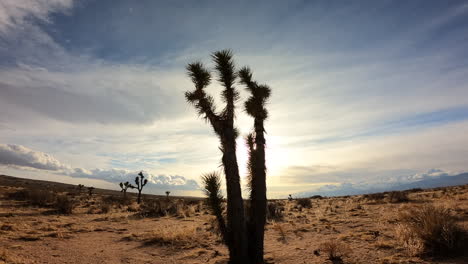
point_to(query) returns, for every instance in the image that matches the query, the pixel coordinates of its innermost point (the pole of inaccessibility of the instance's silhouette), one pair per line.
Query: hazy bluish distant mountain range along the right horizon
(349, 189)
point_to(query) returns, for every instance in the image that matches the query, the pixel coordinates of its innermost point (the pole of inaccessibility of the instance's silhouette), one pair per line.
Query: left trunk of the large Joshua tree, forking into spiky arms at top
(223, 125)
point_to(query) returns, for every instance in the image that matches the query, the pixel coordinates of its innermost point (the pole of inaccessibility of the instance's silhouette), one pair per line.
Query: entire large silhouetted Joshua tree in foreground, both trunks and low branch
(244, 240)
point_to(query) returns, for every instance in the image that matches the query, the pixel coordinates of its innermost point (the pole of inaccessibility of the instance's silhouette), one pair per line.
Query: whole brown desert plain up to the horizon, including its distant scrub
(45, 222)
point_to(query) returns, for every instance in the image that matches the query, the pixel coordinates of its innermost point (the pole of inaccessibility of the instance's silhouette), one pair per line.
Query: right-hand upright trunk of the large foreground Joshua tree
(255, 107)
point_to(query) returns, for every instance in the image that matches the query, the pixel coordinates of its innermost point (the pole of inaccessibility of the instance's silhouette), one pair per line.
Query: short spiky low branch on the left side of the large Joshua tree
(212, 185)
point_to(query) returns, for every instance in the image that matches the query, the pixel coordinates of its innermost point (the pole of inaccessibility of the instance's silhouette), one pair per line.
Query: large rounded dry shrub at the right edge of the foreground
(431, 230)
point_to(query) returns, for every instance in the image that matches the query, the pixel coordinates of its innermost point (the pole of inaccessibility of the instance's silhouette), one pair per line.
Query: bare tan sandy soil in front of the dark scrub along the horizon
(365, 229)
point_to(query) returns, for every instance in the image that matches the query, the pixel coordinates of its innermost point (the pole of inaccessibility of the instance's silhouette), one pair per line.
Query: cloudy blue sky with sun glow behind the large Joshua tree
(363, 91)
